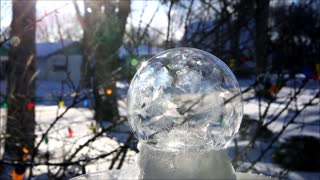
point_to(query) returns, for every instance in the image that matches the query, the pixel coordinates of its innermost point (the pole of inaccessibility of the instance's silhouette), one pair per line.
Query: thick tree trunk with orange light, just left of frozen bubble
(108, 40)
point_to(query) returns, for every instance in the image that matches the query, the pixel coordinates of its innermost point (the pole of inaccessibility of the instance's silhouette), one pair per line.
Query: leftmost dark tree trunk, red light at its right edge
(21, 80)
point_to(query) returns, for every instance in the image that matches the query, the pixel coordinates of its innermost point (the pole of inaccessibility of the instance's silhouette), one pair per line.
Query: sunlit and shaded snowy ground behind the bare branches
(60, 145)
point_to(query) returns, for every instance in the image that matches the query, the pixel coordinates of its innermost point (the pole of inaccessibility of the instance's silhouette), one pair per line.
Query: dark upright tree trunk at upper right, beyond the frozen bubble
(261, 36)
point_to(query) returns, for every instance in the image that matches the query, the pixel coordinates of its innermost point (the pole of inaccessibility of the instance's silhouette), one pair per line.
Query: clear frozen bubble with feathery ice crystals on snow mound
(185, 99)
